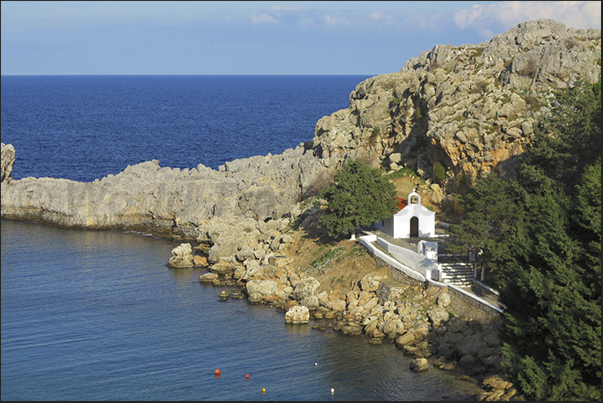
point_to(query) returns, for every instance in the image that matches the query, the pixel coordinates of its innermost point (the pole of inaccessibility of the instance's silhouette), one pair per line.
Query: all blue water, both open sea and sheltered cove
(97, 315)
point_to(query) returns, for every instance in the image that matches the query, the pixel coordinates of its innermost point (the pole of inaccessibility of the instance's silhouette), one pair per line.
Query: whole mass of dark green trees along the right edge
(540, 234)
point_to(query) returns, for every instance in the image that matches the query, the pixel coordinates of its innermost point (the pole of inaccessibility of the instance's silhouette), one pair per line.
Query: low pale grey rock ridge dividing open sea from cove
(165, 201)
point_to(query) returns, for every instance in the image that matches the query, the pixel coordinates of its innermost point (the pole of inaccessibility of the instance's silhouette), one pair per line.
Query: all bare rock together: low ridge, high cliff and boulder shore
(464, 111)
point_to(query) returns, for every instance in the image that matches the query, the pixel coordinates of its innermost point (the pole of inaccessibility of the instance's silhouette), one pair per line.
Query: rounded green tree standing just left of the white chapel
(359, 195)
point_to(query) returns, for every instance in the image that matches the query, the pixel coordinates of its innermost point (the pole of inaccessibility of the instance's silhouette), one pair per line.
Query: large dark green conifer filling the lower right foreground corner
(552, 319)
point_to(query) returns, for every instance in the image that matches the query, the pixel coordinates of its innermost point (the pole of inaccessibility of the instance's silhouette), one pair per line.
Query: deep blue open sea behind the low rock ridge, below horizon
(86, 127)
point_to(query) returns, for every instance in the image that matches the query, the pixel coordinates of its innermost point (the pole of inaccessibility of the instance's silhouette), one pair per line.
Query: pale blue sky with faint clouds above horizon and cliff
(254, 37)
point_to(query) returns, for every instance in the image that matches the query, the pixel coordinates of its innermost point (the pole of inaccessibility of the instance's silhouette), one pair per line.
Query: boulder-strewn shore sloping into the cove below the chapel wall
(412, 317)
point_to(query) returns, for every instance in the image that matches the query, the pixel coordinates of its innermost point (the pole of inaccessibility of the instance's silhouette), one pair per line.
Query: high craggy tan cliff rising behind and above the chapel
(469, 108)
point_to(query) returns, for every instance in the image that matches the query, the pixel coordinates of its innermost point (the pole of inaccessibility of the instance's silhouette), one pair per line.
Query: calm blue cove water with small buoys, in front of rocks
(97, 315)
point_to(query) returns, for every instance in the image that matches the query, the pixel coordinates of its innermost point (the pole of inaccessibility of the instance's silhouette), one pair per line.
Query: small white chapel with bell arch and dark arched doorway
(413, 220)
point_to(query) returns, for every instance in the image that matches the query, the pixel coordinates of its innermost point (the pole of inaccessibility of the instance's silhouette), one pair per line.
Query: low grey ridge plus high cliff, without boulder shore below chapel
(469, 109)
